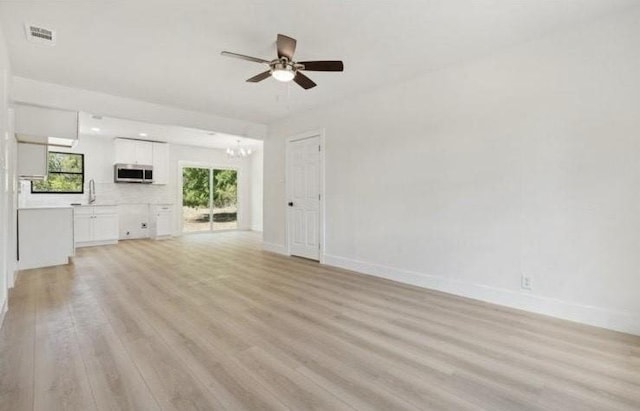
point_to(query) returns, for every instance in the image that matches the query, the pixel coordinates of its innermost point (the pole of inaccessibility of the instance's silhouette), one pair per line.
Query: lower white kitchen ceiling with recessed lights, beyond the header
(93, 126)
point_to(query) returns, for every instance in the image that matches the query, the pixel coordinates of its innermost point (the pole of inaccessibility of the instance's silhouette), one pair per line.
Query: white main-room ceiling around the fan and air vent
(168, 52)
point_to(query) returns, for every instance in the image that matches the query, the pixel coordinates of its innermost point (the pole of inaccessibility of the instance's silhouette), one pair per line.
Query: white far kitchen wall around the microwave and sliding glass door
(132, 199)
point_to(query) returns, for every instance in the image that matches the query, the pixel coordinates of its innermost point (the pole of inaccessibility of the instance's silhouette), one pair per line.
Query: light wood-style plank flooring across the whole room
(211, 322)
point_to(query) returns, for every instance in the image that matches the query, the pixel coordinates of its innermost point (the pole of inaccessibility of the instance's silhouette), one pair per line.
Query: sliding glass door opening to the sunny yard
(209, 199)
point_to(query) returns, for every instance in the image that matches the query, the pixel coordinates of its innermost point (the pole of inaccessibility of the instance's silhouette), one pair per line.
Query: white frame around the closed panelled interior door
(320, 133)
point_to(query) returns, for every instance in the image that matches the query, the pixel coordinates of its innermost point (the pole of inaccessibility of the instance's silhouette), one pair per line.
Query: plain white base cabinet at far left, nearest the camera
(45, 236)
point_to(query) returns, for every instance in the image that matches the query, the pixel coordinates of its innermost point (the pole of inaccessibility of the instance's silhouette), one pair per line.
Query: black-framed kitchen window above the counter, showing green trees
(66, 175)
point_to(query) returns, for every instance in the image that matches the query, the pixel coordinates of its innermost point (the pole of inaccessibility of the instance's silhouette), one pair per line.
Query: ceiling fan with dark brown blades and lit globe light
(284, 68)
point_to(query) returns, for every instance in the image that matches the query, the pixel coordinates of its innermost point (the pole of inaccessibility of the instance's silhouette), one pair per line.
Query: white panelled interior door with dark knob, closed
(303, 179)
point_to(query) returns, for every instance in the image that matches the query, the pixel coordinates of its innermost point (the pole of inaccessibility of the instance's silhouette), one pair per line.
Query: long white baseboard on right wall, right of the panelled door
(626, 322)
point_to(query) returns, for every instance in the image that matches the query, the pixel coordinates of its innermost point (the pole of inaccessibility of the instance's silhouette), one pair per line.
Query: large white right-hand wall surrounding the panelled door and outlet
(462, 179)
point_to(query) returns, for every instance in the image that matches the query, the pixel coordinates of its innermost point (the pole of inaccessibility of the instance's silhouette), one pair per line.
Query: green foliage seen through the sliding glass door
(195, 187)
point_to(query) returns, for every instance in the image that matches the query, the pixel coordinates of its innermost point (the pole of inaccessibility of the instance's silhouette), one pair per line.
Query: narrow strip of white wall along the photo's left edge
(7, 176)
